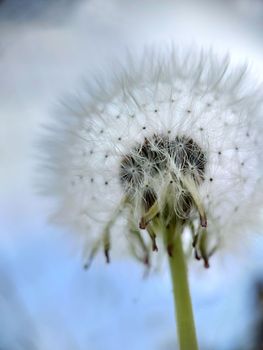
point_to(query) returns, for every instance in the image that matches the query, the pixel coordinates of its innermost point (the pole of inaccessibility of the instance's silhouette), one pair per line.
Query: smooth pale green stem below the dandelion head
(182, 299)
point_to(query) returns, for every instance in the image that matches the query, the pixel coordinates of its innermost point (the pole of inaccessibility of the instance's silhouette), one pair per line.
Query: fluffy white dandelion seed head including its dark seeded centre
(170, 146)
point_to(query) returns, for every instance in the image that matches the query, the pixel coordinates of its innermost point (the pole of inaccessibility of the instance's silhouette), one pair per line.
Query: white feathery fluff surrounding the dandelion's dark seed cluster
(196, 95)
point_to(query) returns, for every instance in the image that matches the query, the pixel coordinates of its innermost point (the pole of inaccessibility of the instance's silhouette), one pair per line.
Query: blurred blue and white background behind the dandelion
(47, 300)
